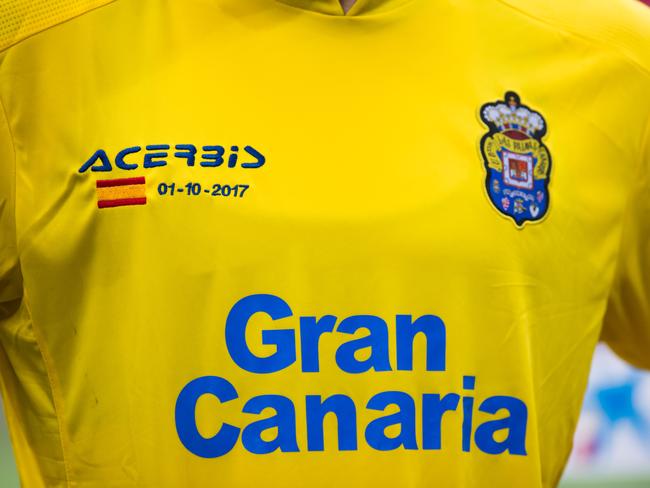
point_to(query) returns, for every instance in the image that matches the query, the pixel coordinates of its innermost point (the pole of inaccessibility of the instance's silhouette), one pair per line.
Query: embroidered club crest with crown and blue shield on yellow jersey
(517, 162)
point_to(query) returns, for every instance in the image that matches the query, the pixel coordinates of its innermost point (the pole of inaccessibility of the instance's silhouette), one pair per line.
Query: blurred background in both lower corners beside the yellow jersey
(611, 445)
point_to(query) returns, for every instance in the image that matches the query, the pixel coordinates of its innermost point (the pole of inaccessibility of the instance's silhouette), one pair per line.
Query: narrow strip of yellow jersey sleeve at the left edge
(10, 276)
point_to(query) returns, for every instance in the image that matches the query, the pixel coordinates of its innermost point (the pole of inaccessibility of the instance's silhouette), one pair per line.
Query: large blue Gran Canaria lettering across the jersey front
(505, 434)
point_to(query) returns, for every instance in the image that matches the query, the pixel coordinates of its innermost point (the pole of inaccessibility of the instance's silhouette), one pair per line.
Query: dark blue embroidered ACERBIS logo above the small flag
(155, 155)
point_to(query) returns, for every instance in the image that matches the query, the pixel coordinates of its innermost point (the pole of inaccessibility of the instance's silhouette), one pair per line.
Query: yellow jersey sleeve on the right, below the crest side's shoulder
(626, 326)
